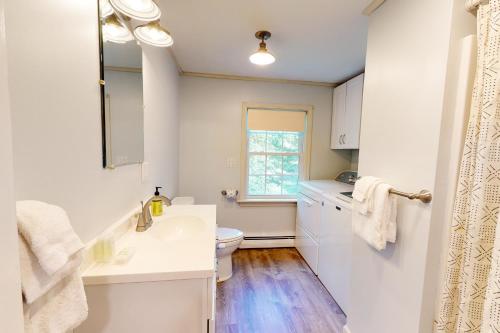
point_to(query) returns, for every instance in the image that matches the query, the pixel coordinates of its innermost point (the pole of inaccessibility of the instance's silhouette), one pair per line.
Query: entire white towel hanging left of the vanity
(54, 299)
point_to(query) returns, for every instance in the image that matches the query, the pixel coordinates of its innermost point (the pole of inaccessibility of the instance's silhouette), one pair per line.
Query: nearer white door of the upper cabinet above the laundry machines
(353, 107)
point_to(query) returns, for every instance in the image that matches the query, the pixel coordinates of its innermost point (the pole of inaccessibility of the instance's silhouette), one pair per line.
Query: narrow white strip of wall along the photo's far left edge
(11, 319)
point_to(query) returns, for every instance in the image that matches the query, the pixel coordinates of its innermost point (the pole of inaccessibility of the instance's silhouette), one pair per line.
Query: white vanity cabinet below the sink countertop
(186, 306)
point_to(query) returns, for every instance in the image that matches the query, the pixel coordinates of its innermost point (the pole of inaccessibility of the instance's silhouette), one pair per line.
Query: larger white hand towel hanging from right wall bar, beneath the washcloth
(378, 227)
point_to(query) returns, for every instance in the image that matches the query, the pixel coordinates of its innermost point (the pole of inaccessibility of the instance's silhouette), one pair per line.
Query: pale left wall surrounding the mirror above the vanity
(54, 67)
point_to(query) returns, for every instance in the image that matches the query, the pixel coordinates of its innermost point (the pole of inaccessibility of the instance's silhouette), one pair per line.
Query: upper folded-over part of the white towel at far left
(48, 233)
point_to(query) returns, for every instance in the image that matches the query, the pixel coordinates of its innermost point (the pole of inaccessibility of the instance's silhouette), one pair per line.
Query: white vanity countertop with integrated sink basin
(179, 245)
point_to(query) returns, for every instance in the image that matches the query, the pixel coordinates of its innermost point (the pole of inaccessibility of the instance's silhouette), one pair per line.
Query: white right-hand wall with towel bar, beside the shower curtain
(405, 83)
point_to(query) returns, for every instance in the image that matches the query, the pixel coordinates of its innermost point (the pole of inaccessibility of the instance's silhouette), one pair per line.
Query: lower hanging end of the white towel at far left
(60, 310)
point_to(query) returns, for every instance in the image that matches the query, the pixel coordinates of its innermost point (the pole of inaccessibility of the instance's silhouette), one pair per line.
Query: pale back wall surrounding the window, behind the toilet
(211, 133)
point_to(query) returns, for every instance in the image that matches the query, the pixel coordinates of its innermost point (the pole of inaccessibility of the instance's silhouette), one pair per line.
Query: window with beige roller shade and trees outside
(275, 147)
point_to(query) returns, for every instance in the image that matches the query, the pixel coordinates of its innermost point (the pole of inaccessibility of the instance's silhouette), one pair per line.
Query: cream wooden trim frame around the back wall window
(304, 163)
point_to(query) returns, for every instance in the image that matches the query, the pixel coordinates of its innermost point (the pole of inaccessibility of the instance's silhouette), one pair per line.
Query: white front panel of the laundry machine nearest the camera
(334, 263)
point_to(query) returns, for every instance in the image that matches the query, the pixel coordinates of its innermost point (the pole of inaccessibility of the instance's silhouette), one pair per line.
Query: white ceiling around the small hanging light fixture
(314, 40)
